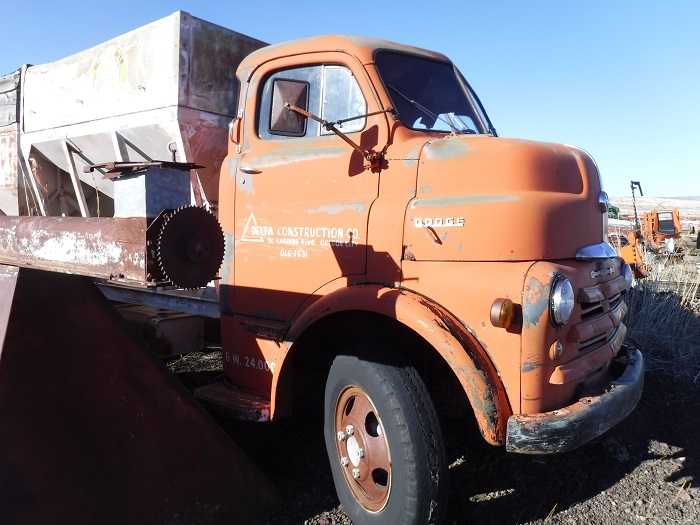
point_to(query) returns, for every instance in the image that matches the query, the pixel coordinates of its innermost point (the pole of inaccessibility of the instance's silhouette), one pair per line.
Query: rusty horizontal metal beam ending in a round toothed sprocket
(118, 249)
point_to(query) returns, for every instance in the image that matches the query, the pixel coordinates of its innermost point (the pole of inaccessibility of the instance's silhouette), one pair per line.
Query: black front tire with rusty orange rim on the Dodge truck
(390, 466)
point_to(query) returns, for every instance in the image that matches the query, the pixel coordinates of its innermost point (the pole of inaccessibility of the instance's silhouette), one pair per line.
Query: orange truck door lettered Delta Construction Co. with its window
(302, 198)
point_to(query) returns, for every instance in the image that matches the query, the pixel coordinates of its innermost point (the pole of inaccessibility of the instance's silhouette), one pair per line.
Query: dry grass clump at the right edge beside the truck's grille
(664, 318)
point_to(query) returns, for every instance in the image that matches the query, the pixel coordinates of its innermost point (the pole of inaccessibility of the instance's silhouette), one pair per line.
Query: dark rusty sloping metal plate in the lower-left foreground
(94, 428)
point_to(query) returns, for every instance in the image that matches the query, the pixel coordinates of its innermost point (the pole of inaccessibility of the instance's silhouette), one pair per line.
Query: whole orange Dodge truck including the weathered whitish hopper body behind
(381, 253)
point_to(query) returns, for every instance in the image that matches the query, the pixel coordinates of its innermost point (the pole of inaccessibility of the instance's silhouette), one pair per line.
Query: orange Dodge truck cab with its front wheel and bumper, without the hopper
(380, 235)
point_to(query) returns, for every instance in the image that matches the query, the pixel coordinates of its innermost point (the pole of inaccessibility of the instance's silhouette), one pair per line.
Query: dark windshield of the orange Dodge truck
(430, 95)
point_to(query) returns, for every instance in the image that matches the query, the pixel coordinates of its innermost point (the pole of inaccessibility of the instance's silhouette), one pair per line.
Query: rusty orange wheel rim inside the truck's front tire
(362, 449)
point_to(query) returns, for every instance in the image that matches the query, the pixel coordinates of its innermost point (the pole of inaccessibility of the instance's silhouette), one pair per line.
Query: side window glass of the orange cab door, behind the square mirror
(333, 95)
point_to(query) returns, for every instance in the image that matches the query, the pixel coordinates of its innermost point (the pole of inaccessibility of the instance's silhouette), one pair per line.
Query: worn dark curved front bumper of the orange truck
(572, 426)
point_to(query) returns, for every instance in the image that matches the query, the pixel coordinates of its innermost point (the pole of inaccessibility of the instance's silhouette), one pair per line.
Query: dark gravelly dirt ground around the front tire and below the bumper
(645, 470)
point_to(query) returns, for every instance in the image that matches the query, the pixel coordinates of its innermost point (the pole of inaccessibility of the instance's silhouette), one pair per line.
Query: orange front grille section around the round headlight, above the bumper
(558, 361)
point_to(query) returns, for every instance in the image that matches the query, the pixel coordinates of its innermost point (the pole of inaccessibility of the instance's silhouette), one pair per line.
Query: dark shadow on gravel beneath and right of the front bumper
(491, 486)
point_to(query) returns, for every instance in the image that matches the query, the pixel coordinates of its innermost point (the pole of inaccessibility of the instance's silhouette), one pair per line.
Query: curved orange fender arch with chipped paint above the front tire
(459, 348)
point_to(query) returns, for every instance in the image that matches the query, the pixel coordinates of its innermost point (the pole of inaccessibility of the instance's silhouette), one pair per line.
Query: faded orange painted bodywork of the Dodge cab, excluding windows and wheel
(409, 225)
